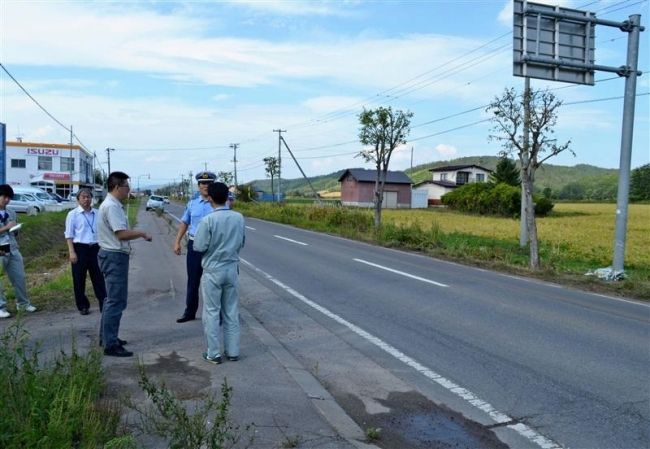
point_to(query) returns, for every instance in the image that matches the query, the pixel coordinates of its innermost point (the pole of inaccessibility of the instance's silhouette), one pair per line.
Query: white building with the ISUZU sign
(62, 168)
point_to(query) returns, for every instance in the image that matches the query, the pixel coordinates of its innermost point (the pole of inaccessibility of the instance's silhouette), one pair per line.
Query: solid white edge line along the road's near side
(471, 398)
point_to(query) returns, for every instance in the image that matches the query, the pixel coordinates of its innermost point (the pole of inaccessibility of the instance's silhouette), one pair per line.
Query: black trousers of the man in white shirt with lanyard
(87, 263)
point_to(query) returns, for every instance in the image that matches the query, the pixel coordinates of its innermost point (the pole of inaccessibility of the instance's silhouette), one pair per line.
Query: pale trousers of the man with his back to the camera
(220, 290)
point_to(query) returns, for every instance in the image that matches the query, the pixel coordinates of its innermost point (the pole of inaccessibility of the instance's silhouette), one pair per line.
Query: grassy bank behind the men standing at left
(43, 246)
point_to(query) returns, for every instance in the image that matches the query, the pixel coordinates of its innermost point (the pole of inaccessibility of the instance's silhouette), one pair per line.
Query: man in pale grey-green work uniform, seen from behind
(220, 236)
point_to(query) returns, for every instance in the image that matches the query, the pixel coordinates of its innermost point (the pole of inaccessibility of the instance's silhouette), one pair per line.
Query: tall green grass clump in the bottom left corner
(55, 403)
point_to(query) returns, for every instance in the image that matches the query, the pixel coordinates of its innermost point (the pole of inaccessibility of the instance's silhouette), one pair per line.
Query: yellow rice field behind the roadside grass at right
(578, 231)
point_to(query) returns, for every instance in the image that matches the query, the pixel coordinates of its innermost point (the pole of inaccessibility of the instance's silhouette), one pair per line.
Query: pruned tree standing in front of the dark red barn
(382, 130)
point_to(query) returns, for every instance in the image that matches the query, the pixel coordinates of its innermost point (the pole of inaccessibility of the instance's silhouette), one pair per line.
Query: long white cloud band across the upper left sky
(176, 47)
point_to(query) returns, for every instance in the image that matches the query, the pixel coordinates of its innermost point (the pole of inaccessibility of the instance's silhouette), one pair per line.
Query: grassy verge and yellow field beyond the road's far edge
(574, 238)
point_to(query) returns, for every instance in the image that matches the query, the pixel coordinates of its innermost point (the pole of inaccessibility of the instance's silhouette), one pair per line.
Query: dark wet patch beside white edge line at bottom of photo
(414, 422)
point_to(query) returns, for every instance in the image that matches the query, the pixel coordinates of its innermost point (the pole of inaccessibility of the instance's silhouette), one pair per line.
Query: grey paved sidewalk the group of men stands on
(271, 389)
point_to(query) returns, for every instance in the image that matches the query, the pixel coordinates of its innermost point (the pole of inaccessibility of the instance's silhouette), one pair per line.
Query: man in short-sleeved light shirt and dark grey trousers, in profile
(113, 235)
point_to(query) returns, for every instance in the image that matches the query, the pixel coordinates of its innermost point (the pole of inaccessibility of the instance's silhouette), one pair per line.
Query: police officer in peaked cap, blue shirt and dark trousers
(196, 209)
